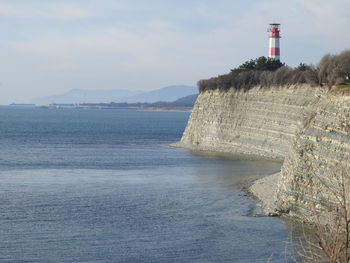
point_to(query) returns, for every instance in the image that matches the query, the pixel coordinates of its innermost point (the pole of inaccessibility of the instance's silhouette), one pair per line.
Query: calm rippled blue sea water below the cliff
(103, 186)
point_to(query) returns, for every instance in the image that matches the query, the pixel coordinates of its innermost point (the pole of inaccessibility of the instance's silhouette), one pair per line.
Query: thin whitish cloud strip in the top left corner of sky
(53, 10)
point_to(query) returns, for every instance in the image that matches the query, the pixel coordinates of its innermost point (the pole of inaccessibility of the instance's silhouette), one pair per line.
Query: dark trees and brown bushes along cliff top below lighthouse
(332, 70)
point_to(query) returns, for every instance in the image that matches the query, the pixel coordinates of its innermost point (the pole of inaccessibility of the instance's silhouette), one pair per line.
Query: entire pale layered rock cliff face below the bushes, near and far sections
(307, 127)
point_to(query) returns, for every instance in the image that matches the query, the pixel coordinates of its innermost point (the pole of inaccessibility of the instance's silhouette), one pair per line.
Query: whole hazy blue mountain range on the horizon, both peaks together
(78, 96)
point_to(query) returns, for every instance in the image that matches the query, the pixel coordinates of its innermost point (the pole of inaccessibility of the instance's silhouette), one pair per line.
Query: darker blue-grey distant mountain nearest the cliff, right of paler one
(170, 93)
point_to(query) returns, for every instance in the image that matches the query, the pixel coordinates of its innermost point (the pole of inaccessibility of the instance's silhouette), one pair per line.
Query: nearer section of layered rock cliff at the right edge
(314, 171)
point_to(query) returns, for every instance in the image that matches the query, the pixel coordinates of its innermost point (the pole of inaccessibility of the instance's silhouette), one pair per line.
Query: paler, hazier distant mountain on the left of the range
(87, 96)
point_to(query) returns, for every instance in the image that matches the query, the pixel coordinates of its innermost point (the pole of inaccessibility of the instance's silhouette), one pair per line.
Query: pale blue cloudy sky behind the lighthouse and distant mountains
(52, 46)
